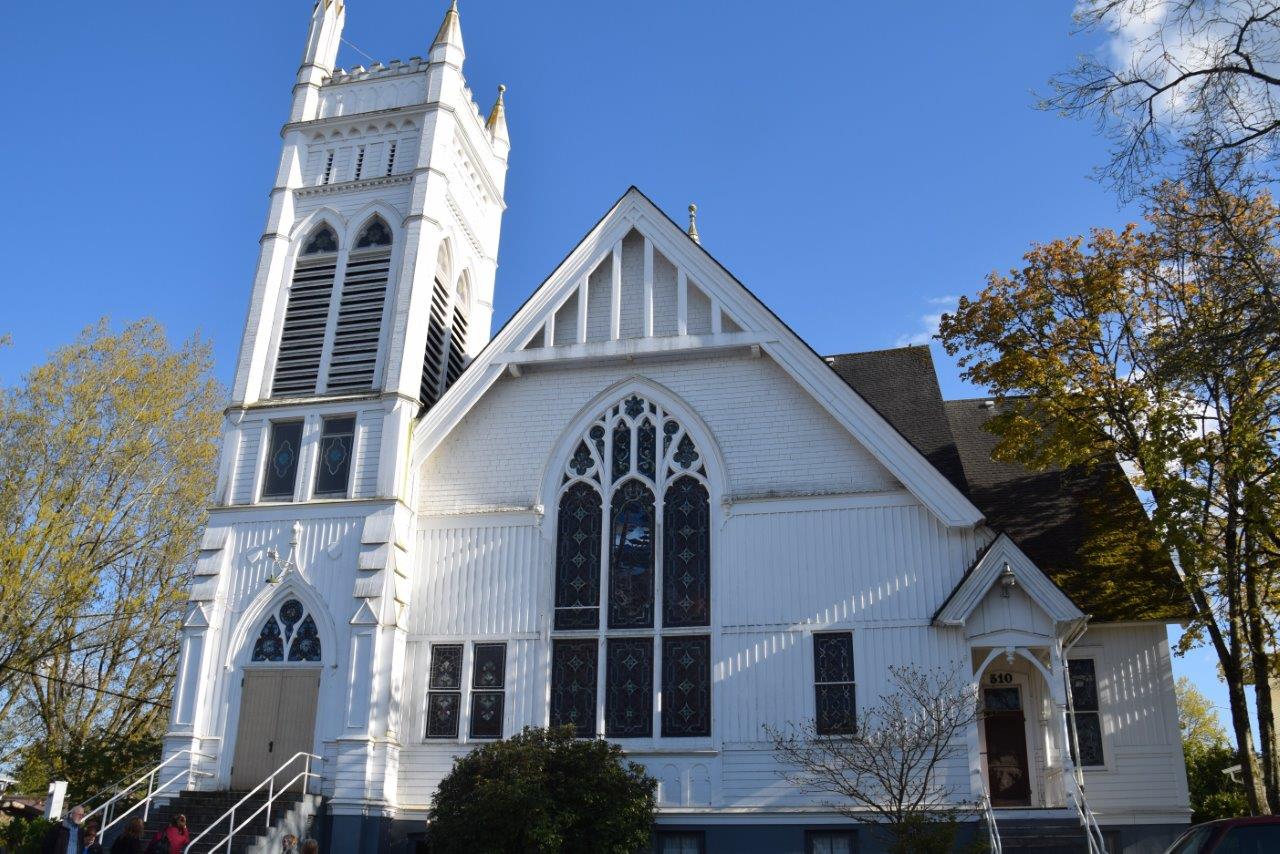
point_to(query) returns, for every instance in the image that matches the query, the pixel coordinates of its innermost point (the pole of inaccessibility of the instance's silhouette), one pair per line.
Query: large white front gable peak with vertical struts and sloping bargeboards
(638, 289)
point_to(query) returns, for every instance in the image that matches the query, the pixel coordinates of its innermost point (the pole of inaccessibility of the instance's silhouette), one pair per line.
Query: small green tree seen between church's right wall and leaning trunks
(1209, 755)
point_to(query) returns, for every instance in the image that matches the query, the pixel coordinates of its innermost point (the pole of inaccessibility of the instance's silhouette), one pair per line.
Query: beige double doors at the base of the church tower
(277, 720)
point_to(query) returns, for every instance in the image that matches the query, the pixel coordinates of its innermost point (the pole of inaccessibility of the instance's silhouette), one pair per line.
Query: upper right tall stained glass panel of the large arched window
(687, 555)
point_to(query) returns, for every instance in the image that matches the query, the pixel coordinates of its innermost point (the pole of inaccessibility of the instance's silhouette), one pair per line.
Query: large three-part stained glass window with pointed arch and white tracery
(633, 531)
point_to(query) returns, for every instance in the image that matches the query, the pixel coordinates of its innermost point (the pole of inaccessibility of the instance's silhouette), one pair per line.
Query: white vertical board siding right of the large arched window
(838, 565)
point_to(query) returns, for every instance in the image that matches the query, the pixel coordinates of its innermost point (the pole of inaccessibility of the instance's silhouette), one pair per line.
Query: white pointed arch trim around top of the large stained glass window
(661, 395)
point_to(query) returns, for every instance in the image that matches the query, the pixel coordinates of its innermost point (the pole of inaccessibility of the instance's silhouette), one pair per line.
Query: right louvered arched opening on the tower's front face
(358, 331)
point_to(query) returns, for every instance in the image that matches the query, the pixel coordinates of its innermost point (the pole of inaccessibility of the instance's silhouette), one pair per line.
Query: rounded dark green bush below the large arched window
(543, 792)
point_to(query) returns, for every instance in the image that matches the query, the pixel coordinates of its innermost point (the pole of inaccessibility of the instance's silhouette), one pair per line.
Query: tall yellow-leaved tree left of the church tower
(107, 465)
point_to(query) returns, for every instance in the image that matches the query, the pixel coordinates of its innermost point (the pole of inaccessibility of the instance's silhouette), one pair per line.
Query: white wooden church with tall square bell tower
(643, 508)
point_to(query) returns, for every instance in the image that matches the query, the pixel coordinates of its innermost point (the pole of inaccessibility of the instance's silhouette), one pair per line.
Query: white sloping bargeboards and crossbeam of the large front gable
(761, 328)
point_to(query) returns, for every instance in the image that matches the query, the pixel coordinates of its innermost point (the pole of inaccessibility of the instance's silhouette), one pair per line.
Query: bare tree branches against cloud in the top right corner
(1177, 77)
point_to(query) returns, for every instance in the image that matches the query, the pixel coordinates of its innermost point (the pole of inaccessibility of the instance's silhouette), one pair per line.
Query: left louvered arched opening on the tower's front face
(298, 366)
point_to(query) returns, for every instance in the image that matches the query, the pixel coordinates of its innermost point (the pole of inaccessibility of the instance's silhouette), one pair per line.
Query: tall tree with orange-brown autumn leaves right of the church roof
(1160, 346)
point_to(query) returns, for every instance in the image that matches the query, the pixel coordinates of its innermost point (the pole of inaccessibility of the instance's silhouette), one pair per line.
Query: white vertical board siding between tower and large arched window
(477, 579)
